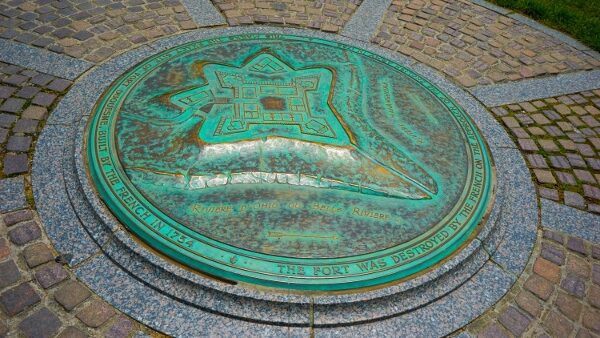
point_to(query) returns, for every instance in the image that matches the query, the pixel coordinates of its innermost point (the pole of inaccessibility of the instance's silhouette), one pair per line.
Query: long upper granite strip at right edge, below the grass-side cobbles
(532, 89)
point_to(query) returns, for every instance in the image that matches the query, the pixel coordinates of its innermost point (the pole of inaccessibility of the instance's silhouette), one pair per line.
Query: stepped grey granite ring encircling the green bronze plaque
(116, 266)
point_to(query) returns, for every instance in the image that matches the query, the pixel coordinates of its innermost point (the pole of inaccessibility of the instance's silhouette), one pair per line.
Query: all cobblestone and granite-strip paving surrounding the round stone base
(543, 88)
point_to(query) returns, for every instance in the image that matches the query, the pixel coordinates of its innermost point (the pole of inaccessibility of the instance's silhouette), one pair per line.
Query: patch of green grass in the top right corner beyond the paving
(578, 18)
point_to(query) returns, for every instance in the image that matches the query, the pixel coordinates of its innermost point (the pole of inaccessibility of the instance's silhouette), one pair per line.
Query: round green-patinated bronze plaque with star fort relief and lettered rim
(289, 162)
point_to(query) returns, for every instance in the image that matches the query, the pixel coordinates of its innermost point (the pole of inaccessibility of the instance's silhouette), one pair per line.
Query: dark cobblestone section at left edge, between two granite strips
(26, 96)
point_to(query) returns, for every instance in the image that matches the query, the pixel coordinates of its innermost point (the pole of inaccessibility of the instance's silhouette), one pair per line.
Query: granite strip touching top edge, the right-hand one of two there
(366, 19)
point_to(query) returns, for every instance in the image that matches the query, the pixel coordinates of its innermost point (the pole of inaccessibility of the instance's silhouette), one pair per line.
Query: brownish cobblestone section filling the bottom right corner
(557, 296)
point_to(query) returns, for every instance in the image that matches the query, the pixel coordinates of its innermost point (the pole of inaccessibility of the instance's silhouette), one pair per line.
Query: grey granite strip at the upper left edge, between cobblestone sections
(42, 60)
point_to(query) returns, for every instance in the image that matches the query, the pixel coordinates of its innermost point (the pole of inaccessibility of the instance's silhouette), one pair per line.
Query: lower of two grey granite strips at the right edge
(570, 220)
